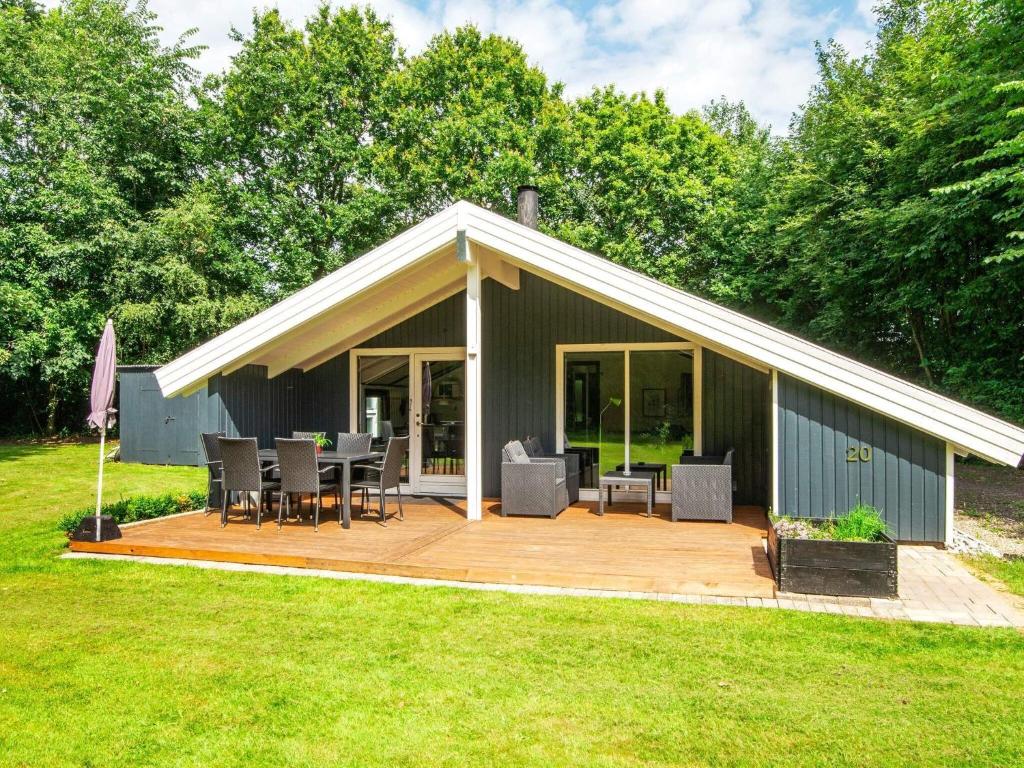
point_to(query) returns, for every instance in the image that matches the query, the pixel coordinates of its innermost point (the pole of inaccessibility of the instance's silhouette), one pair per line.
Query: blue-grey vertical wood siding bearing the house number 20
(905, 480)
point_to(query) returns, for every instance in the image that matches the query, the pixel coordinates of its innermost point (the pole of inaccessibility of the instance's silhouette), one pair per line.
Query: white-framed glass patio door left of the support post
(438, 456)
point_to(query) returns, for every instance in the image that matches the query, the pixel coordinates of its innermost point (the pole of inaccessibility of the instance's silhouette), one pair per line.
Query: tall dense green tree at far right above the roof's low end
(877, 261)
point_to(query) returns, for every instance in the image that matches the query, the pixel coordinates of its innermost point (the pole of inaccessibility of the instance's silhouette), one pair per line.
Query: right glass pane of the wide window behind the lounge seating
(661, 407)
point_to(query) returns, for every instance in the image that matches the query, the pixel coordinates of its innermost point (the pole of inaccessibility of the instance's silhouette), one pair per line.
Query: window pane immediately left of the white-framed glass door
(383, 394)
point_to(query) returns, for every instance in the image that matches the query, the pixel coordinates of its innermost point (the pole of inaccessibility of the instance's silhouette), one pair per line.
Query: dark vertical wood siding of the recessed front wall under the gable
(521, 331)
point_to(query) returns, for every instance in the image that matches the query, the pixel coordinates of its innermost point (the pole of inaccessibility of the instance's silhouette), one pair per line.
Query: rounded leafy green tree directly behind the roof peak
(468, 119)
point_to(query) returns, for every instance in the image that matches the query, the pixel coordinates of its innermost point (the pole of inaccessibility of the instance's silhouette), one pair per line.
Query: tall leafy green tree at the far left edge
(94, 136)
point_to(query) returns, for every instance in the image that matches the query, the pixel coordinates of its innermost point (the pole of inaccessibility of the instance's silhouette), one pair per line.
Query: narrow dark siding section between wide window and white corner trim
(737, 414)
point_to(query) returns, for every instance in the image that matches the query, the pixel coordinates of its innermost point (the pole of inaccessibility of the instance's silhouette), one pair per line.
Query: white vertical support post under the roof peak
(475, 394)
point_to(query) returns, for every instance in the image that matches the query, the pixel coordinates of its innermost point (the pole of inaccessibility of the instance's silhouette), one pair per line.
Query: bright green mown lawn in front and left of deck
(121, 664)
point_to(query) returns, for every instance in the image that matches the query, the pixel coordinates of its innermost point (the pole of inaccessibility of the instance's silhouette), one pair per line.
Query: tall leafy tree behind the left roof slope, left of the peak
(289, 142)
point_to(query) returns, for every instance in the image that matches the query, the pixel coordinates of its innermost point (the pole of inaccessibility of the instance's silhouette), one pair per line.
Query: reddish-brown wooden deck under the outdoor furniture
(623, 551)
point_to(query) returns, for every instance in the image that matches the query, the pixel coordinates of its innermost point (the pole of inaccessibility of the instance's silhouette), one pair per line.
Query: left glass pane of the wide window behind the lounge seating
(595, 421)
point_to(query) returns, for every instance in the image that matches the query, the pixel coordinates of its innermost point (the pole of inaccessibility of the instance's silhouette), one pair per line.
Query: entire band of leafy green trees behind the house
(887, 224)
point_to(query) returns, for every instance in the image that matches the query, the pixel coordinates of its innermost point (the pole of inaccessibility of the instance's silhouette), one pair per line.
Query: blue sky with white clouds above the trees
(761, 52)
